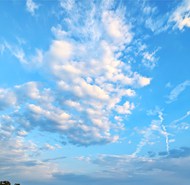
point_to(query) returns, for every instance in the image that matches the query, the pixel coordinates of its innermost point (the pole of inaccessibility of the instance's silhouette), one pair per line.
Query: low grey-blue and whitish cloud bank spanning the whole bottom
(123, 169)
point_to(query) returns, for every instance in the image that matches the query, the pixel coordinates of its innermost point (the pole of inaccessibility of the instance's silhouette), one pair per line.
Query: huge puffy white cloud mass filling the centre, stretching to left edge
(90, 82)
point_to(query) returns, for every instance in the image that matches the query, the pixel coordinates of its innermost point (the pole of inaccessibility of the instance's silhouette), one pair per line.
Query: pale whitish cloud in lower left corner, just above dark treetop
(17, 162)
